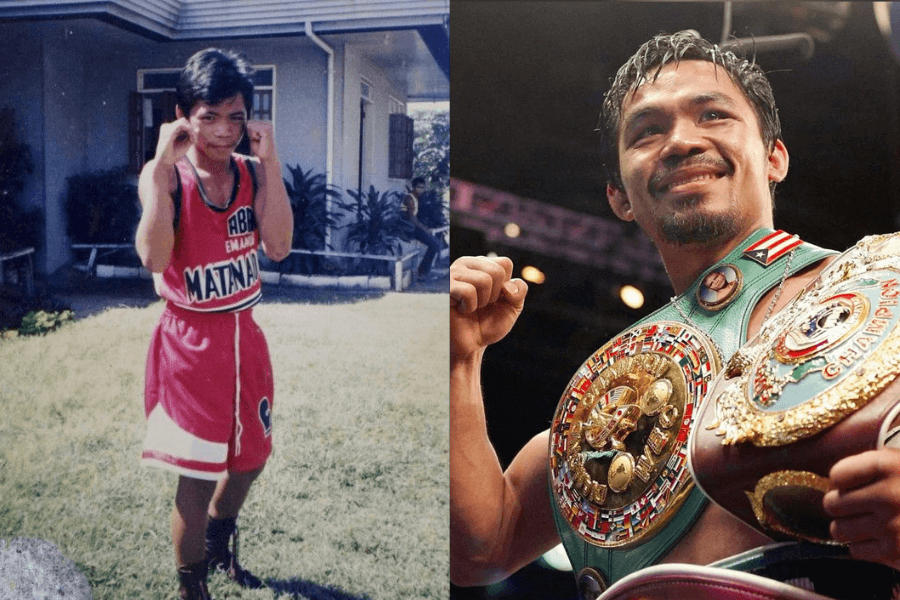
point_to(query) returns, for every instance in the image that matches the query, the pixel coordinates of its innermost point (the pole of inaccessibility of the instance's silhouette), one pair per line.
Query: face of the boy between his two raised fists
(219, 127)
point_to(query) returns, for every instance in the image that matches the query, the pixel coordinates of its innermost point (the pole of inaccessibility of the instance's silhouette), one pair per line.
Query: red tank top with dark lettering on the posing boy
(215, 260)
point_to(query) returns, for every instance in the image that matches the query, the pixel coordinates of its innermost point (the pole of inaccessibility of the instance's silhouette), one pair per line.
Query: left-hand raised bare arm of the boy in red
(155, 234)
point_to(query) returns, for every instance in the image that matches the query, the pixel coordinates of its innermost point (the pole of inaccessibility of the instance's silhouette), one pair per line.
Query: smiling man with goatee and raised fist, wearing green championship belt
(693, 148)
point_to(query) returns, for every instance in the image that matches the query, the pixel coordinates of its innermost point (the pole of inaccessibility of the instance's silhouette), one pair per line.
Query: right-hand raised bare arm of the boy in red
(272, 206)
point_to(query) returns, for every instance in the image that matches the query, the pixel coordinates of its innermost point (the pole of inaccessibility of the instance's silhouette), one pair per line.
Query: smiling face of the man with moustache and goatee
(693, 162)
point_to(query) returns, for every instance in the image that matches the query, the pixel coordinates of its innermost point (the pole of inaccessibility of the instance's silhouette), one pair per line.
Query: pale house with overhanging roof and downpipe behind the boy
(90, 81)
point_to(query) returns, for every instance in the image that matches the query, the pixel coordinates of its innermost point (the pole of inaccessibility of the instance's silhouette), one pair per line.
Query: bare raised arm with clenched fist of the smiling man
(499, 521)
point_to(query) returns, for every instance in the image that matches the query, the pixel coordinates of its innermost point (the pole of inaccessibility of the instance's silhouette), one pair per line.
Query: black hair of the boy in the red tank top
(213, 75)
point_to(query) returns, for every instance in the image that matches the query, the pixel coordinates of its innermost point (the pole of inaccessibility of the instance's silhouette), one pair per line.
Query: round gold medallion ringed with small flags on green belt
(618, 443)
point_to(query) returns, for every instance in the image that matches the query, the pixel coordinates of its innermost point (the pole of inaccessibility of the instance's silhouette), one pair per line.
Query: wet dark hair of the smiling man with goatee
(665, 49)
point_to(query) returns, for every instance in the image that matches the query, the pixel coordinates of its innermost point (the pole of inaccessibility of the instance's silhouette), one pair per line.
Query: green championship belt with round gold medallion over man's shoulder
(622, 491)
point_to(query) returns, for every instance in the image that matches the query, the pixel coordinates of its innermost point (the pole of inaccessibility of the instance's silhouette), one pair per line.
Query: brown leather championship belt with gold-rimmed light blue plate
(815, 385)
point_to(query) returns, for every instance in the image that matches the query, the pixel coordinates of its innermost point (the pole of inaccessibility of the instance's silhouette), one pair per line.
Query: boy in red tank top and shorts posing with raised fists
(208, 397)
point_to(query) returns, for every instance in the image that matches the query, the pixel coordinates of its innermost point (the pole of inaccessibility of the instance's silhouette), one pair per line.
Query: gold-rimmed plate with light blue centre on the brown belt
(826, 355)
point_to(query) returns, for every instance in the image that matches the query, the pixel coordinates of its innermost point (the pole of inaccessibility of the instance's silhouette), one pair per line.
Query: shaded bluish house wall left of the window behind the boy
(69, 82)
